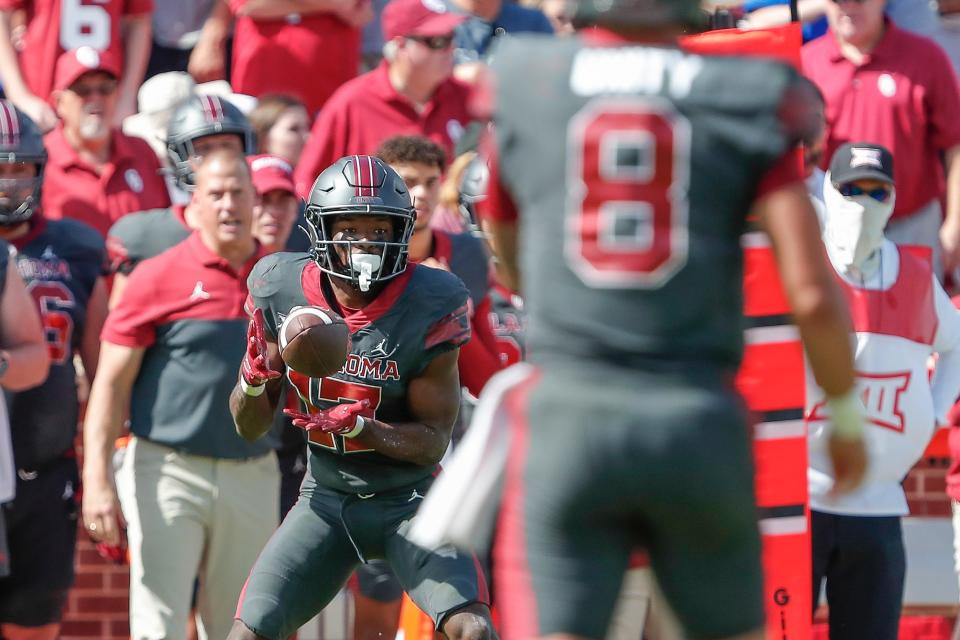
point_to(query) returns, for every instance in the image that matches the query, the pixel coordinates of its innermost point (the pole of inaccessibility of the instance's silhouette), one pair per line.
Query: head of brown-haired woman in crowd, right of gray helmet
(282, 127)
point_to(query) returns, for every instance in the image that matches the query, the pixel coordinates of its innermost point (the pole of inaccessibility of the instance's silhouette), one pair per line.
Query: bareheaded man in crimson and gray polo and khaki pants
(198, 500)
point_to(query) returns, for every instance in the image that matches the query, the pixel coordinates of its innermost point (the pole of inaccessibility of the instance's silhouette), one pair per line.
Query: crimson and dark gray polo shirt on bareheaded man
(185, 308)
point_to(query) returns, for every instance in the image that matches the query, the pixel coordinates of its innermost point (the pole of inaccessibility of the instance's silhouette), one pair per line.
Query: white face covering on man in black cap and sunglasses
(853, 227)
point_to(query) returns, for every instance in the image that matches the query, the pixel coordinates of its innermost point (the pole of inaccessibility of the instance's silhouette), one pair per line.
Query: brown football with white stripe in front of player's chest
(314, 341)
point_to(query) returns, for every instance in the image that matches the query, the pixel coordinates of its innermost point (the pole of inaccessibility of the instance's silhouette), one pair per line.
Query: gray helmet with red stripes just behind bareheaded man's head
(197, 117)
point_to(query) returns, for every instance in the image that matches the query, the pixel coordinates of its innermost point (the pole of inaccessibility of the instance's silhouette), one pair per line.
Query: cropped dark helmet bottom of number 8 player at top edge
(640, 13)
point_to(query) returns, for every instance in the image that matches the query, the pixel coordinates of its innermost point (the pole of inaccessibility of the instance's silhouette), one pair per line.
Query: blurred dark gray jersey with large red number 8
(634, 170)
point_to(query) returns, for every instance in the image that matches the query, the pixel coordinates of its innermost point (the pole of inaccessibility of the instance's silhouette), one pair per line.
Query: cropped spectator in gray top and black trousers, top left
(176, 30)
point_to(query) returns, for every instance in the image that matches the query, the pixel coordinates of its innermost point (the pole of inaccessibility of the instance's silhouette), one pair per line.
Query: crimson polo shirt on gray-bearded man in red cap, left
(130, 181)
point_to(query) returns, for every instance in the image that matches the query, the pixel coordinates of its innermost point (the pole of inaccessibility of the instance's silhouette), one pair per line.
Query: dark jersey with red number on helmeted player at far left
(60, 261)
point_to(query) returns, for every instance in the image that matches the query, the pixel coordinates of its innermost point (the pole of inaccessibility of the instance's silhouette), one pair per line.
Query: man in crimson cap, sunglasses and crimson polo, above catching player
(411, 92)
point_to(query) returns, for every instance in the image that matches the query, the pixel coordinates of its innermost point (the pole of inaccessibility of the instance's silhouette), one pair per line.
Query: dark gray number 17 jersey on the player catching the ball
(419, 315)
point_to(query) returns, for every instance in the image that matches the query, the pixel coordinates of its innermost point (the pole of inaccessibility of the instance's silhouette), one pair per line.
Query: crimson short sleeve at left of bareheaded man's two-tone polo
(133, 322)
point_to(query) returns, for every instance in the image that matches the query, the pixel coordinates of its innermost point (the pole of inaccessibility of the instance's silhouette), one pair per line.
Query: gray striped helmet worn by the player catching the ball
(359, 185)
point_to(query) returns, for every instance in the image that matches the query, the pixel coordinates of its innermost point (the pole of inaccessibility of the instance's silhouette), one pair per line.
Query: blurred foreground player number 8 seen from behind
(632, 272)
